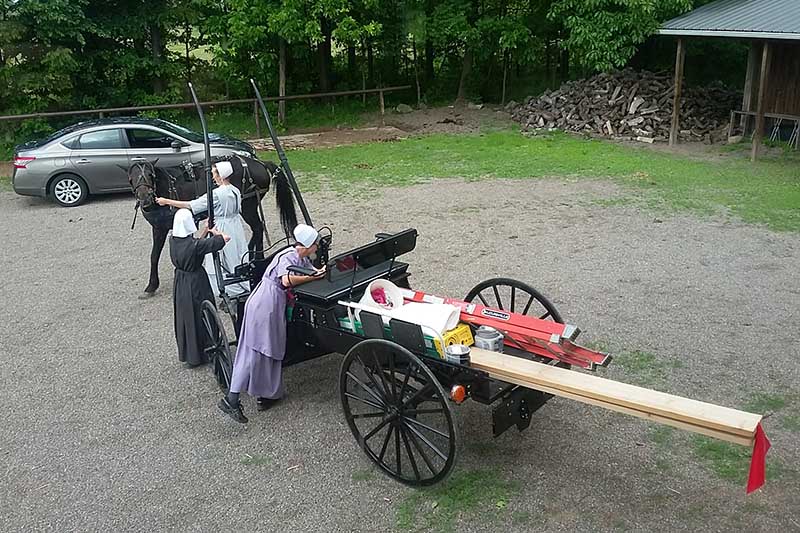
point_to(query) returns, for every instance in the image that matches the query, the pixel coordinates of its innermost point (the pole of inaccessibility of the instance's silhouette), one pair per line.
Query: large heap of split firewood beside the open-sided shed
(629, 104)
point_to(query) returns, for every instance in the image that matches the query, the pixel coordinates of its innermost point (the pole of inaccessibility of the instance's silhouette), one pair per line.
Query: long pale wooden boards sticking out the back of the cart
(700, 417)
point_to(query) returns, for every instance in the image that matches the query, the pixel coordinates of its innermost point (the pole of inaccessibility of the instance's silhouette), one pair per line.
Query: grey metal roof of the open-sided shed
(754, 19)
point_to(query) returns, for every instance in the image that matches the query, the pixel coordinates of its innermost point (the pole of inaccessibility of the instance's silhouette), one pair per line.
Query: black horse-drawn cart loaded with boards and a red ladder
(397, 385)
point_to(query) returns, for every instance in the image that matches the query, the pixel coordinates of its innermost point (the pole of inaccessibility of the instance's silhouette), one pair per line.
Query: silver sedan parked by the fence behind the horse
(93, 157)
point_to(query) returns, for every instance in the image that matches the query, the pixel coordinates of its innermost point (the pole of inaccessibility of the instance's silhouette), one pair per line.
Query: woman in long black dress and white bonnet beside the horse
(191, 283)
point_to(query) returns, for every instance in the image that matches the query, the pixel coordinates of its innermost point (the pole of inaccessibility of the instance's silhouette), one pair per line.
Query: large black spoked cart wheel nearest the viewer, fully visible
(398, 412)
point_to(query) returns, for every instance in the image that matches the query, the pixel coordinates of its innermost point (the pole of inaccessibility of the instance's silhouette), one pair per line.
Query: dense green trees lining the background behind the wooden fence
(67, 54)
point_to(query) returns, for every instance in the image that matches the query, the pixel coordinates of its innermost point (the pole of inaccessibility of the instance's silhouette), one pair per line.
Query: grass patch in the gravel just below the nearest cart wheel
(479, 494)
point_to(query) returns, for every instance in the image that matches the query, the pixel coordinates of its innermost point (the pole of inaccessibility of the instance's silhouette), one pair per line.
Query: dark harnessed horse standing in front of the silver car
(186, 182)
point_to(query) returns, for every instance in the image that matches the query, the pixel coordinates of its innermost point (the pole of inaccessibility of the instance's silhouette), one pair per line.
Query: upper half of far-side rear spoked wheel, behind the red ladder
(512, 295)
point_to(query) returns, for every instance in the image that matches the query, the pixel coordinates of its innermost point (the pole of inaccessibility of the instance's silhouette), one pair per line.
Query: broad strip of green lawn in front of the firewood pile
(767, 192)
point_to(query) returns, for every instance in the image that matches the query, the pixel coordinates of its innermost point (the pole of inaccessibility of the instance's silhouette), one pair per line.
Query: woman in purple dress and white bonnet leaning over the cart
(257, 368)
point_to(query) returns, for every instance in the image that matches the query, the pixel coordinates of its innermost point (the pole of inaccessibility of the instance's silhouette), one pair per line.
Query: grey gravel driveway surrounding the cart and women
(103, 429)
